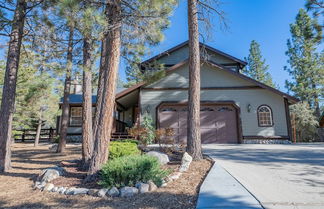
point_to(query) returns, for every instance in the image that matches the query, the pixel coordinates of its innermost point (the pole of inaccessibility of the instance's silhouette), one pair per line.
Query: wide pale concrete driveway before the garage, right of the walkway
(279, 176)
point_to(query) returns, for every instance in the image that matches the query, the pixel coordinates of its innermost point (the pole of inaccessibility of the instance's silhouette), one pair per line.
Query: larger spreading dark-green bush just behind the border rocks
(128, 170)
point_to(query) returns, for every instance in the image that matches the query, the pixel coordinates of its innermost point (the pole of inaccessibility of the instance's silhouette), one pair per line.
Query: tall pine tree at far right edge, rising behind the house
(305, 60)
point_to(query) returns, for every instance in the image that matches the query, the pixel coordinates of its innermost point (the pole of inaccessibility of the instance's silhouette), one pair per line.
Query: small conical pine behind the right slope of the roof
(256, 66)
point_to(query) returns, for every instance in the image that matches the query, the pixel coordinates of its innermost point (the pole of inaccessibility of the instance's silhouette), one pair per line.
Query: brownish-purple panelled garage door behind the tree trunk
(218, 122)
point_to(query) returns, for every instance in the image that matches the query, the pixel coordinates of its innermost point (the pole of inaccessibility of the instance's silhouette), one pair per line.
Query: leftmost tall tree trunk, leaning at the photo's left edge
(9, 87)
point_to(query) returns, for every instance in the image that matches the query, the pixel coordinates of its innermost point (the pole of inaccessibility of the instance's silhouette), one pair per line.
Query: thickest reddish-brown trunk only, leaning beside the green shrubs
(106, 109)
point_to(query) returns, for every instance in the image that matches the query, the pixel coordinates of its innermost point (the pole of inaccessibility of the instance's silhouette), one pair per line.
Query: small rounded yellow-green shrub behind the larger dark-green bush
(122, 148)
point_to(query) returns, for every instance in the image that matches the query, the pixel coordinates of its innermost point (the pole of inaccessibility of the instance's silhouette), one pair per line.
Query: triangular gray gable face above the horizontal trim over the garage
(210, 77)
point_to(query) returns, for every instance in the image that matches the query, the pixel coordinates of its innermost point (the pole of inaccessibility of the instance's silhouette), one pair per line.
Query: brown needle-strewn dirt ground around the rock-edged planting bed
(27, 162)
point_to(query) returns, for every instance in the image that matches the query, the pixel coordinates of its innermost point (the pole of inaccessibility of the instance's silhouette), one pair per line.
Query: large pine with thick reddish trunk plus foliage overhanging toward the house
(129, 18)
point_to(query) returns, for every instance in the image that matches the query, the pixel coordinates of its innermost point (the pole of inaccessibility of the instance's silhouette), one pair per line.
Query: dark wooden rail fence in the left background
(30, 134)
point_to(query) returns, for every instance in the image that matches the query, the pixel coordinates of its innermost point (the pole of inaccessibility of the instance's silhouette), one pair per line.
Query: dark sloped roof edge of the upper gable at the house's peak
(167, 52)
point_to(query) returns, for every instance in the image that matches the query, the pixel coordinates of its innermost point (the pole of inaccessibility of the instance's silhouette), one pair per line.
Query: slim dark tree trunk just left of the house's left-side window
(65, 105)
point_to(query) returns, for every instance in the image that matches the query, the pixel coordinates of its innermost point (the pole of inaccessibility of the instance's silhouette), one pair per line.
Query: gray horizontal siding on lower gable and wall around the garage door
(216, 78)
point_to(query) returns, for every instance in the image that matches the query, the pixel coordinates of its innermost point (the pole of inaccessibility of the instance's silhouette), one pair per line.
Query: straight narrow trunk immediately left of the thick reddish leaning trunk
(87, 142)
